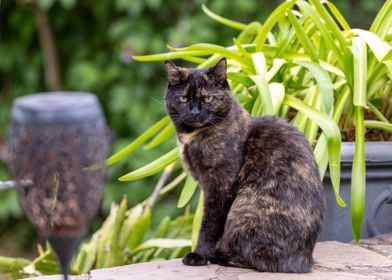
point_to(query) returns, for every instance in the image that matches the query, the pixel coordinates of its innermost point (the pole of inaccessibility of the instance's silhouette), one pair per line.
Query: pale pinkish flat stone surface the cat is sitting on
(370, 260)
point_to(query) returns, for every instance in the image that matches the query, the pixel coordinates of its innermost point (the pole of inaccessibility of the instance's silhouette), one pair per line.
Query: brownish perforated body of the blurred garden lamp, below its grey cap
(65, 193)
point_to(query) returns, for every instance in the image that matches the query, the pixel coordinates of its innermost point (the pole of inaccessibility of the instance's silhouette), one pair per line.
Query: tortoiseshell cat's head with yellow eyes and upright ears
(197, 98)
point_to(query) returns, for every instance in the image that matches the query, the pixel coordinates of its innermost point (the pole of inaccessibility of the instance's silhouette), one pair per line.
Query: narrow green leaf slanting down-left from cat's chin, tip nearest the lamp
(138, 141)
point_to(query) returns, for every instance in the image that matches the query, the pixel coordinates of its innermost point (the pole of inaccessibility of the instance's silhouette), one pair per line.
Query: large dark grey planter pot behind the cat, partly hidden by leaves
(378, 211)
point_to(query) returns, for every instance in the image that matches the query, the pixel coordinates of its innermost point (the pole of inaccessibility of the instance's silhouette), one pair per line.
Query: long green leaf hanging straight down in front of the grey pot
(358, 176)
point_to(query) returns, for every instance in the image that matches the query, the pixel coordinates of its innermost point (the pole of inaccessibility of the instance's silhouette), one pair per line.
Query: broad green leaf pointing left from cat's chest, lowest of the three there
(153, 167)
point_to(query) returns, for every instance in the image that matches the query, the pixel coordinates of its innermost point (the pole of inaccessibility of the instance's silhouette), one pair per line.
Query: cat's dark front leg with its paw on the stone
(216, 208)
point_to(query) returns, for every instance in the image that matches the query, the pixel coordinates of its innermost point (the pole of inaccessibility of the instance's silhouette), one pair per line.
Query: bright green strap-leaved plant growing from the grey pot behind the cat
(306, 64)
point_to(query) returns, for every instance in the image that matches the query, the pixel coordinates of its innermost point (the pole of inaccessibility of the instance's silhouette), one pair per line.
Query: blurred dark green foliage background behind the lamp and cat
(73, 45)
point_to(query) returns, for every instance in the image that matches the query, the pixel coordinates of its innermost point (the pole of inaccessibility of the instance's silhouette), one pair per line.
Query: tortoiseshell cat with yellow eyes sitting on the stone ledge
(263, 199)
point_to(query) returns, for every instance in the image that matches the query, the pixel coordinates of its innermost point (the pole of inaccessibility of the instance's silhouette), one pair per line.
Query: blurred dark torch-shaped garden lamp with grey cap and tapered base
(58, 145)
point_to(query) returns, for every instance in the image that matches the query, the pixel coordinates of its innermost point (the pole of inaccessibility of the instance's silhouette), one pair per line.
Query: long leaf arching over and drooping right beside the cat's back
(332, 134)
